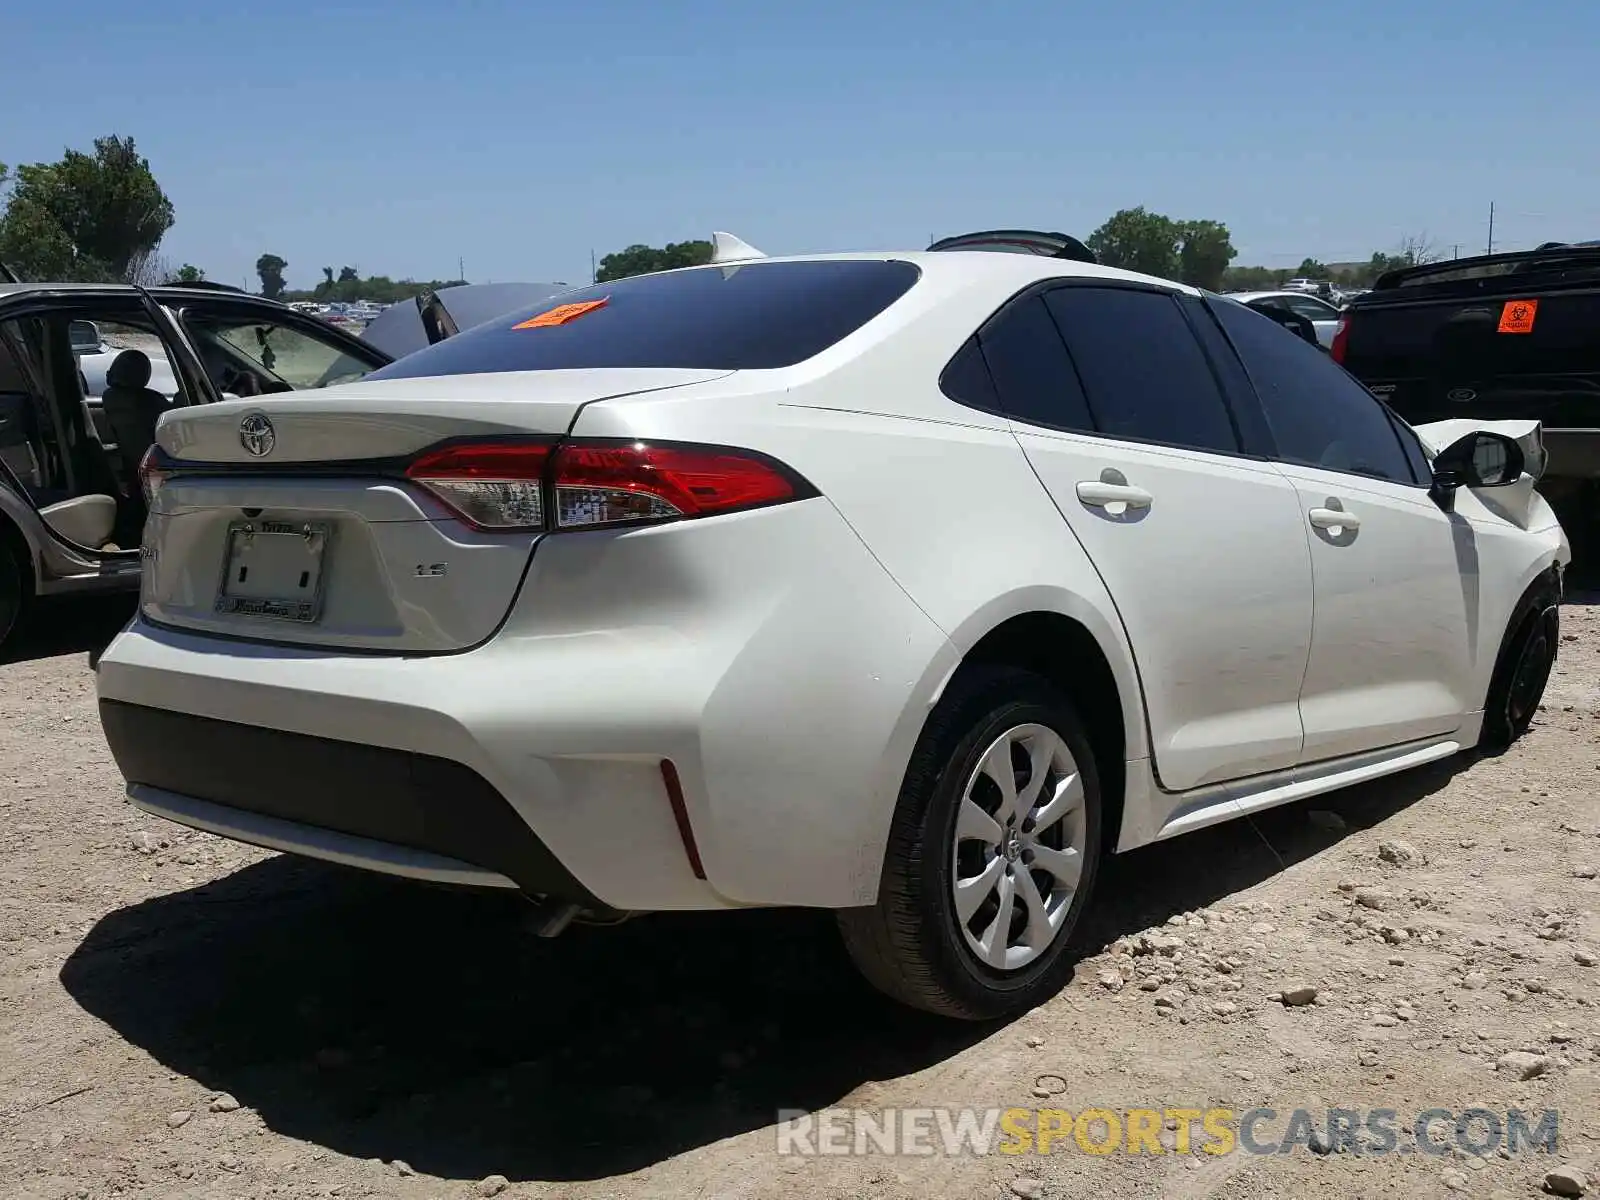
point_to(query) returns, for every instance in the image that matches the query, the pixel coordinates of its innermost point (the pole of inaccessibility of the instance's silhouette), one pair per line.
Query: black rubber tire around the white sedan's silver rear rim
(910, 945)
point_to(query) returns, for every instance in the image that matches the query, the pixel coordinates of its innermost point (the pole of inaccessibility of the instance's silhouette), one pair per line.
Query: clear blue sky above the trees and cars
(519, 137)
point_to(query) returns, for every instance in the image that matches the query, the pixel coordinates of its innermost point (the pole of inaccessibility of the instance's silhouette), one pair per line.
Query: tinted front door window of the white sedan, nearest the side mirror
(1318, 414)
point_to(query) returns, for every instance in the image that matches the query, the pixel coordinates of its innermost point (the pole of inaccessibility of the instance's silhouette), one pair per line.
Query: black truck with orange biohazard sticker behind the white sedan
(1494, 338)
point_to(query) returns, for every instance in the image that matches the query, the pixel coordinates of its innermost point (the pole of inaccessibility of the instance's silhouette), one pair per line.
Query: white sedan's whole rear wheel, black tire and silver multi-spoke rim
(993, 854)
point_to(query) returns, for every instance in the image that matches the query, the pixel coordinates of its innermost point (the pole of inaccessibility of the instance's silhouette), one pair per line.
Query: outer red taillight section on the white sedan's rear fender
(620, 484)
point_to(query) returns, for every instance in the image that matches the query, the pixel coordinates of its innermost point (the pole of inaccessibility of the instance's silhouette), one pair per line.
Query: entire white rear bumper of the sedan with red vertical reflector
(766, 655)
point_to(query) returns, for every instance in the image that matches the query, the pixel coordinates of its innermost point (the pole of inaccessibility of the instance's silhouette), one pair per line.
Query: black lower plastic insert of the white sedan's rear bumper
(366, 806)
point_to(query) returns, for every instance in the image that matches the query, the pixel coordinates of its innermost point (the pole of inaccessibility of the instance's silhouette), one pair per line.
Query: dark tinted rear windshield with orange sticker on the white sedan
(745, 316)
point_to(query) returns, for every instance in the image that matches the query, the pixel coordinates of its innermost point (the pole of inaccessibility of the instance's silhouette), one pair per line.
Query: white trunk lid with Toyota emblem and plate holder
(292, 521)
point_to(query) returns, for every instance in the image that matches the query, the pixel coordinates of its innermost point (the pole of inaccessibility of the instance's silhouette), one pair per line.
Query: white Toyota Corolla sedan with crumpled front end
(900, 585)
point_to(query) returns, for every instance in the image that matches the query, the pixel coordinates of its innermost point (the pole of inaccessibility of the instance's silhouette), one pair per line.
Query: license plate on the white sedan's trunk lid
(274, 570)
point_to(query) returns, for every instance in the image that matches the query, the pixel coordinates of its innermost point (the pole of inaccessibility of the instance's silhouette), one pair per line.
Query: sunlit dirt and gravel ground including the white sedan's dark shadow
(183, 1017)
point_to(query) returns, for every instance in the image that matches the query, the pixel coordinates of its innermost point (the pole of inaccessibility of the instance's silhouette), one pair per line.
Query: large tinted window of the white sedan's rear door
(1142, 367)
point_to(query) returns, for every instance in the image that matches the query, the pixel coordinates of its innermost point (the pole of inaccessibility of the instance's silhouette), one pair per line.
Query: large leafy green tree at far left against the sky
(89, 217)
